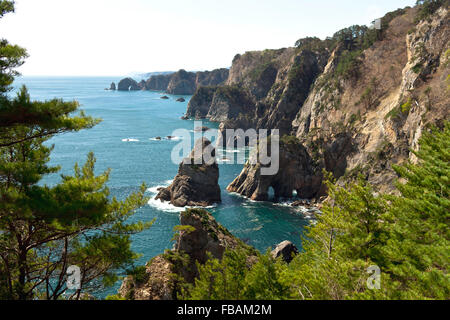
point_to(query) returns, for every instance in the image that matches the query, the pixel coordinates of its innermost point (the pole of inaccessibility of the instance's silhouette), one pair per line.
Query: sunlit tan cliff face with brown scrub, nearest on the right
(367, 122)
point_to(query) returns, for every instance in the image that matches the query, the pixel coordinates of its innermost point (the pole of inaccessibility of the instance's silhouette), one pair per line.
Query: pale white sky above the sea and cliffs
(121, 37)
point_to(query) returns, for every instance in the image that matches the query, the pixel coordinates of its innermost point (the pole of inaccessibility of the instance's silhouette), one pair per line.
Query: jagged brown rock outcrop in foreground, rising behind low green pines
(204, 234)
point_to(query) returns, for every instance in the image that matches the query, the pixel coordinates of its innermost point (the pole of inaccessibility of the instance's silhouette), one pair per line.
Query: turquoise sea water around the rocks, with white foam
(123, 142)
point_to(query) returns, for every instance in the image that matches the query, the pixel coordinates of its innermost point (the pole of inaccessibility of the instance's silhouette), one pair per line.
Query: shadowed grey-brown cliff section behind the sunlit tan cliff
(267, 86)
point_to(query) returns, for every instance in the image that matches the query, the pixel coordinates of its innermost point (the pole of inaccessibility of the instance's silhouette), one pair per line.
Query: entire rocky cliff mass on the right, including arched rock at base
(356, 102)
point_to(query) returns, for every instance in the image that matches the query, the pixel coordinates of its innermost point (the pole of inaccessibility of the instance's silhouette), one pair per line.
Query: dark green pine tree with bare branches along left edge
(46, 230)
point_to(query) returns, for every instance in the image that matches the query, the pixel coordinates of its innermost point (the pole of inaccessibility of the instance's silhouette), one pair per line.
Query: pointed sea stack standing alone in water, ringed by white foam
(196, 183)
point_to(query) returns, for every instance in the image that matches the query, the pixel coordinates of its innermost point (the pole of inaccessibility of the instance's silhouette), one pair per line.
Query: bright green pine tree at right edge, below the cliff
(418, 250)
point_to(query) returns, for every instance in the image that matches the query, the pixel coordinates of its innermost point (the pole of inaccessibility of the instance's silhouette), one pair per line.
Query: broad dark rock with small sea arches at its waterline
(296, 173)
